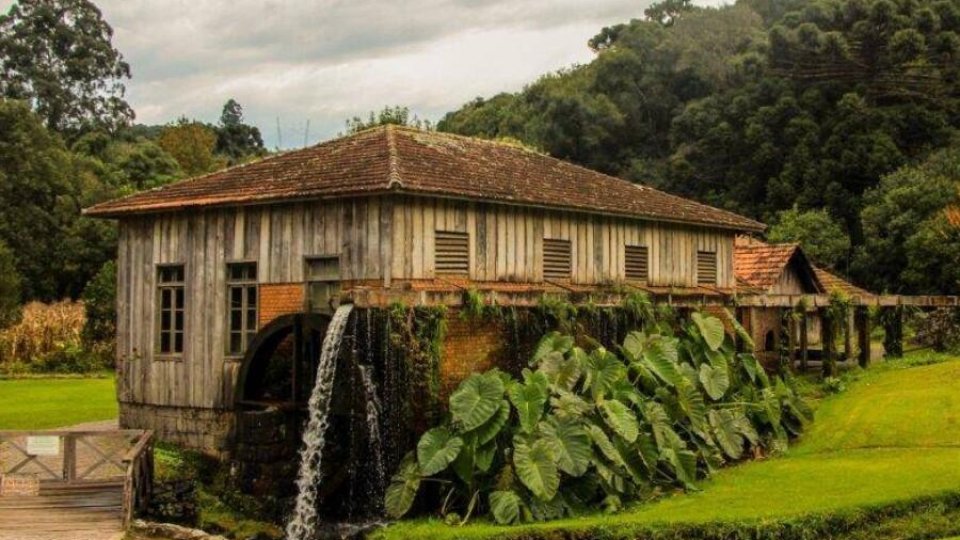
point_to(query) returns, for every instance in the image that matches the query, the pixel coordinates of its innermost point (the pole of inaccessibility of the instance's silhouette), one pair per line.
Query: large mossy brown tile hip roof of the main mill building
(412, 161)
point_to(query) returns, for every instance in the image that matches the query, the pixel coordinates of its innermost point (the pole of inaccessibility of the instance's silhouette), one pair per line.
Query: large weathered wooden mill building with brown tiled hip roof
(209, 265)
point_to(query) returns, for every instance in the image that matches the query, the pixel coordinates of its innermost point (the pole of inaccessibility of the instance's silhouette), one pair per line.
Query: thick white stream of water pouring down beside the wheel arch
(304, 522)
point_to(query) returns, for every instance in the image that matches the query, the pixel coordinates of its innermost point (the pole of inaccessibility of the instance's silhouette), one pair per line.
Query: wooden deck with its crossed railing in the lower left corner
(89, 488)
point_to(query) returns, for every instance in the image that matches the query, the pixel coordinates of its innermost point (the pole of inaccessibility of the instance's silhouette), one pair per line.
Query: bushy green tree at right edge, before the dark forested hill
(910, 245)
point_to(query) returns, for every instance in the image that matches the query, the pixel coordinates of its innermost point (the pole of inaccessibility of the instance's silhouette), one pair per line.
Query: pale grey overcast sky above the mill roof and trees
(323, 61)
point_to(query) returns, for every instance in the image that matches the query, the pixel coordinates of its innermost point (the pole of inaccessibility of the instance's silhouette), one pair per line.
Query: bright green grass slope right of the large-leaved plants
(893, 436)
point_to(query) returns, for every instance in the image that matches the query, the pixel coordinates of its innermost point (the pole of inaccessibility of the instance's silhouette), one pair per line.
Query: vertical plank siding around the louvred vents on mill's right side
(506, 243)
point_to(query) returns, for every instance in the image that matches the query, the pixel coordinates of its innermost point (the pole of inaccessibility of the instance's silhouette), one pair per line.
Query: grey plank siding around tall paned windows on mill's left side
(278, 238)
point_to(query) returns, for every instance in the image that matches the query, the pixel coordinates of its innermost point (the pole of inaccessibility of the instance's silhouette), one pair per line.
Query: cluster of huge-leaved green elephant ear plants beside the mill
(584, 430)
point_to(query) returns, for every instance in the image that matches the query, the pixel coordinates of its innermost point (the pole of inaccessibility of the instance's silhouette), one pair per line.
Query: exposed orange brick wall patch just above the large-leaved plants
(470, 346)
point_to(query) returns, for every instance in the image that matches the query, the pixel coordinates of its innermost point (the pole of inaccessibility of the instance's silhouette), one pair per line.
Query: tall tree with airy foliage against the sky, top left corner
(58, 56)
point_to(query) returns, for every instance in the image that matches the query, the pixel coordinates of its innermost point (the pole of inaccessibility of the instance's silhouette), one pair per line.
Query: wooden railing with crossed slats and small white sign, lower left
(64, 459)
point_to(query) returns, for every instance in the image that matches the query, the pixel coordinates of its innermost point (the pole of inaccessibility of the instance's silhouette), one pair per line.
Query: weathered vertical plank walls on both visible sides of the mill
(376, 238)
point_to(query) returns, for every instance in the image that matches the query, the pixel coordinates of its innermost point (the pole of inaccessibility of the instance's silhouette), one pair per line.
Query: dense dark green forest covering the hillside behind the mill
(758, 107)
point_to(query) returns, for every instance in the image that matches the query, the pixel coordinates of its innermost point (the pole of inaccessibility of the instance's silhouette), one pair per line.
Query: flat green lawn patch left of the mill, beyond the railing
(50, 403)
